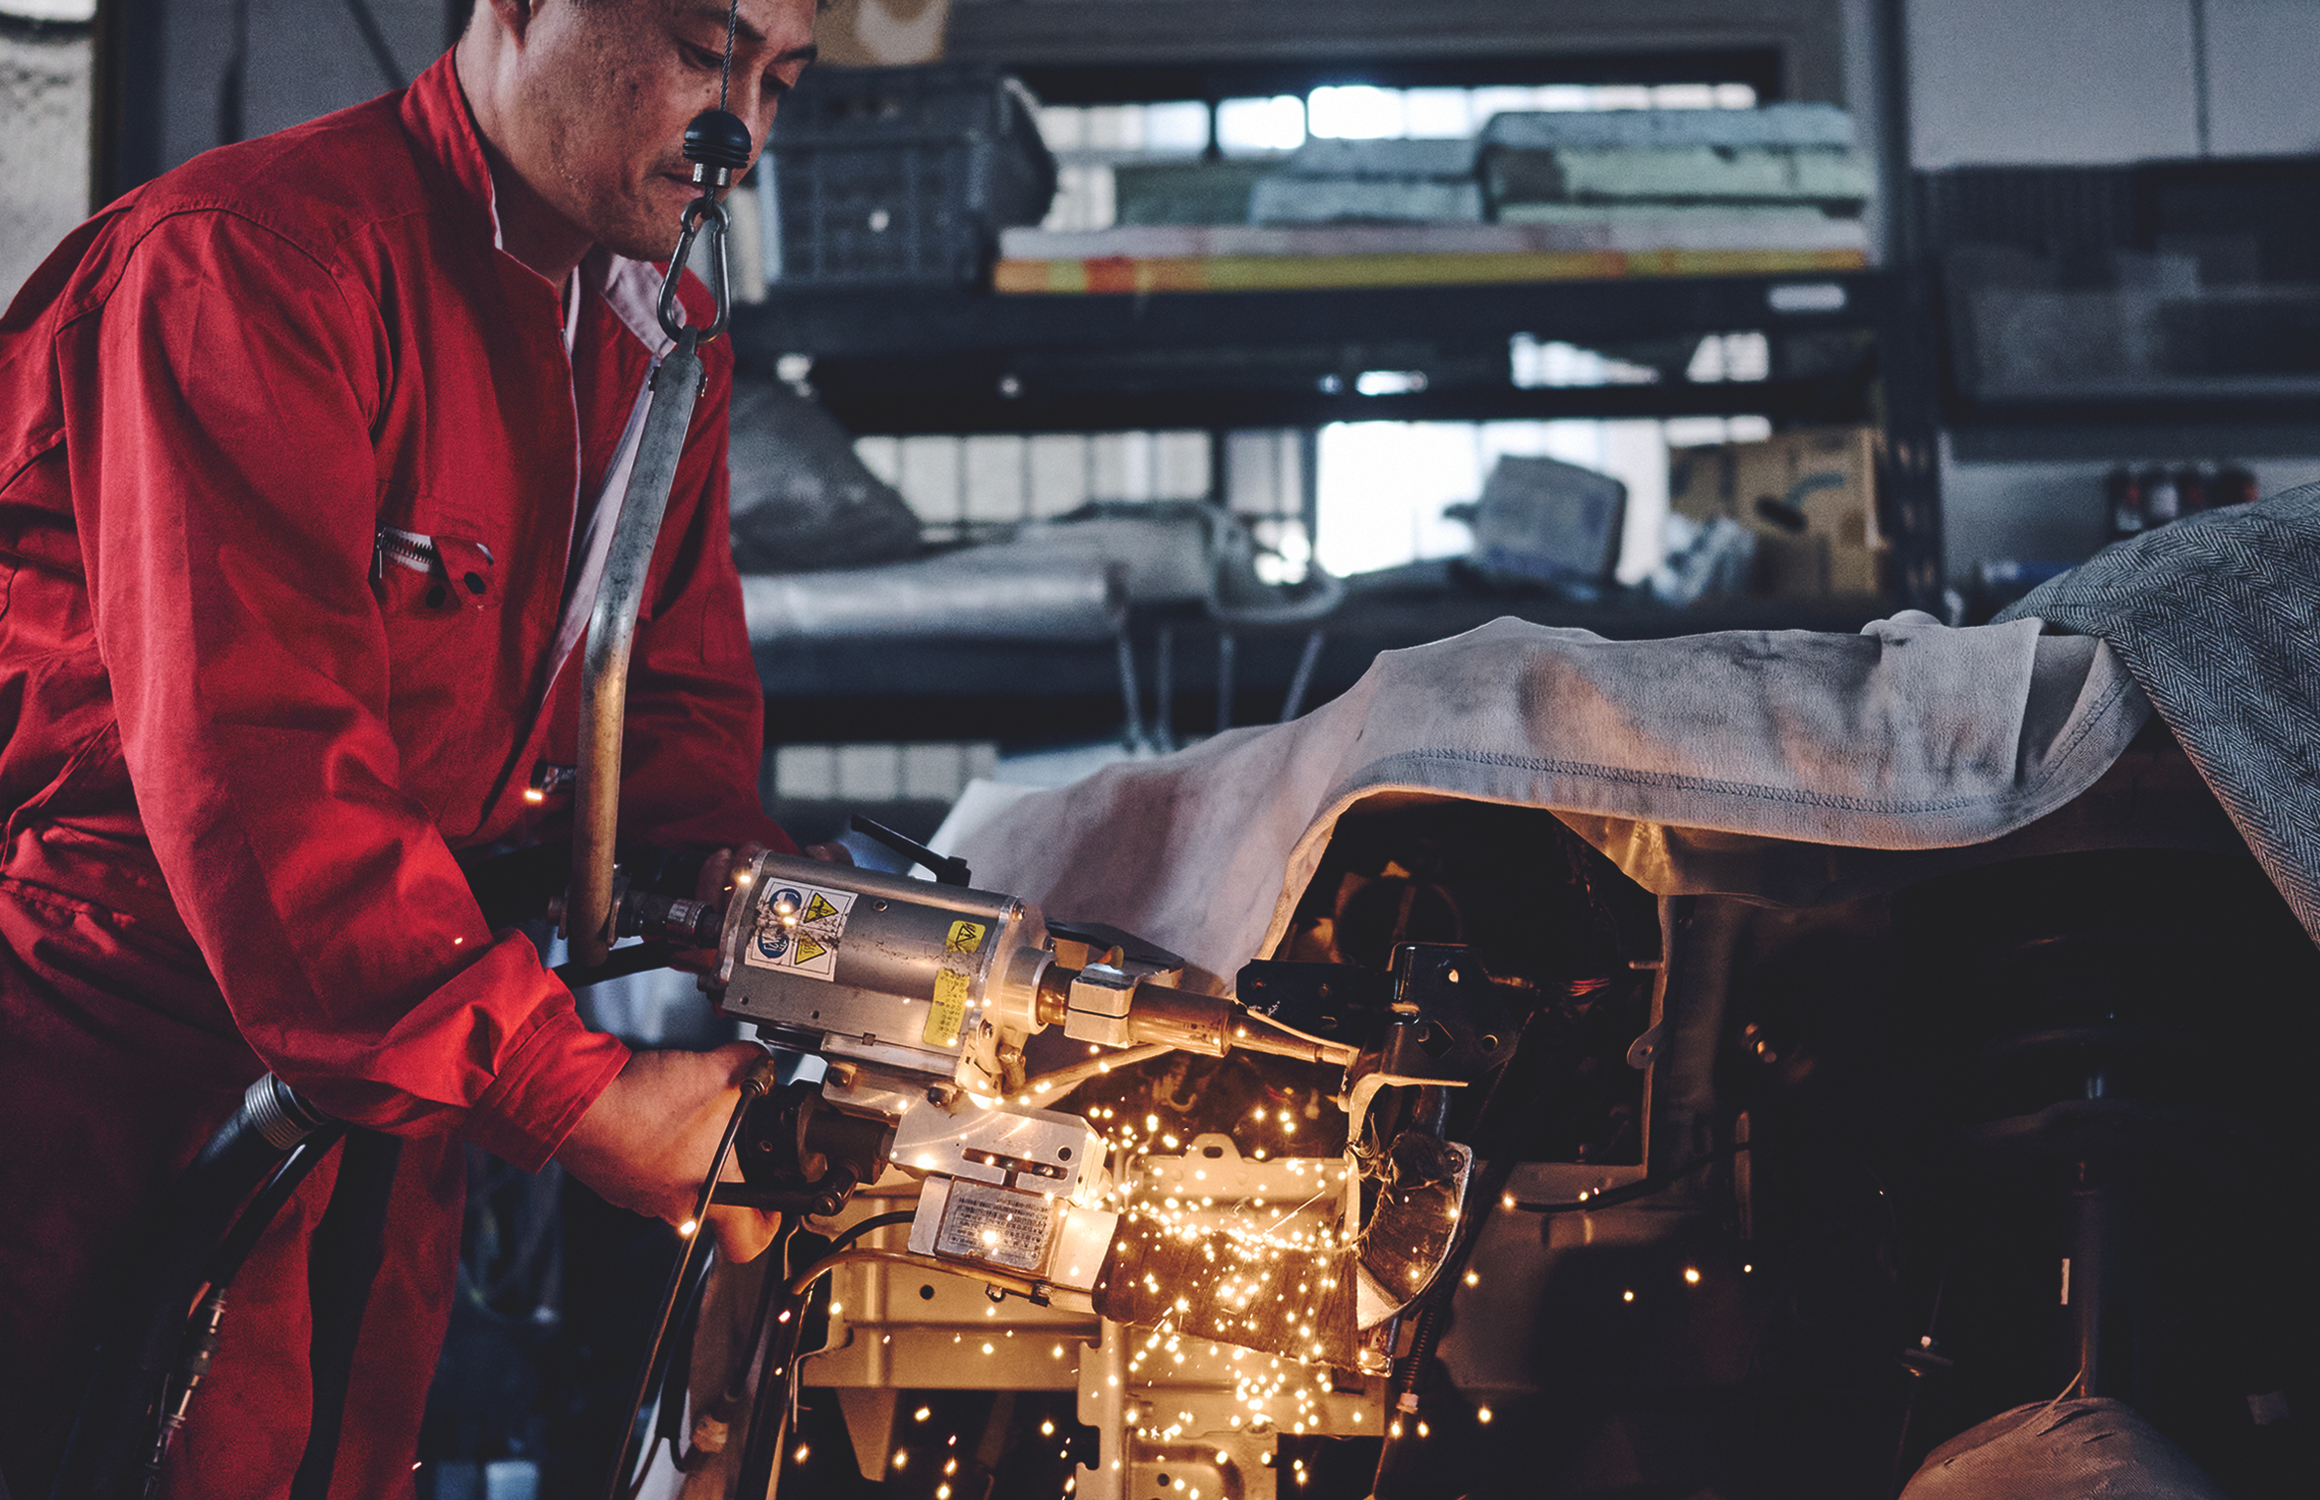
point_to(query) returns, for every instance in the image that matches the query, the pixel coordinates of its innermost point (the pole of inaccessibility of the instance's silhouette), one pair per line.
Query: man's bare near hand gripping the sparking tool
(648, 1142)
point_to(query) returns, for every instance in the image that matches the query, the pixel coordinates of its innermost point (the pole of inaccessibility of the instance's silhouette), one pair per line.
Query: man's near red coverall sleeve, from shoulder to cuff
(226, 490)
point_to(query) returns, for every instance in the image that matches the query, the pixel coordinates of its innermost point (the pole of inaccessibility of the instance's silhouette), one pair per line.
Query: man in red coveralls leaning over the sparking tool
(305, 456)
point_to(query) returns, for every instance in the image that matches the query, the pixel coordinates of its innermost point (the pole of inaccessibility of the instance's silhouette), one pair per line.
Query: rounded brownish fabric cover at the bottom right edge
(2061, 1450)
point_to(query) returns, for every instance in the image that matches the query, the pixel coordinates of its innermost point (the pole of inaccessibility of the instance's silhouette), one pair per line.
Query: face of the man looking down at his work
(607, 89)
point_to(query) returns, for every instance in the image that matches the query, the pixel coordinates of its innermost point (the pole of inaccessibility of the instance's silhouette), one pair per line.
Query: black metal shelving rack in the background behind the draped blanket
(1846, 349)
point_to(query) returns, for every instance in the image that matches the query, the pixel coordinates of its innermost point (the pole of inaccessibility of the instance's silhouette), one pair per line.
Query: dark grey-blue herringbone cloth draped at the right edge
(2219, 622)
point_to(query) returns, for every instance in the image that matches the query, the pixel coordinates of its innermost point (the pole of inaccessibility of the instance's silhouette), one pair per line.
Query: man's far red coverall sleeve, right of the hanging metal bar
(697, 708)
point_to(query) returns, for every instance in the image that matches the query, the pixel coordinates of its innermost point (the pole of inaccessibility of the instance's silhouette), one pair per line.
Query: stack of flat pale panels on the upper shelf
(1576, 196)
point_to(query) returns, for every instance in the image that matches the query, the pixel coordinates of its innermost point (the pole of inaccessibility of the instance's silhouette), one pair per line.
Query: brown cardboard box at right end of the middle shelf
(1808, 495)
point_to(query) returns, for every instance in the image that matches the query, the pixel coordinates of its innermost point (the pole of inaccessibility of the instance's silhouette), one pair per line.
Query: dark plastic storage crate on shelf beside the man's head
(901, 175)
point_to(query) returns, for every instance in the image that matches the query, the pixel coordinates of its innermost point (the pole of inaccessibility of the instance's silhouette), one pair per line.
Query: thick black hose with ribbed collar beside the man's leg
(113, 1429)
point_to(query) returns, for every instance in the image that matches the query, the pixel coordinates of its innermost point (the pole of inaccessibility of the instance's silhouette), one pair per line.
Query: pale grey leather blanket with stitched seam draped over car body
(1741, 762)
